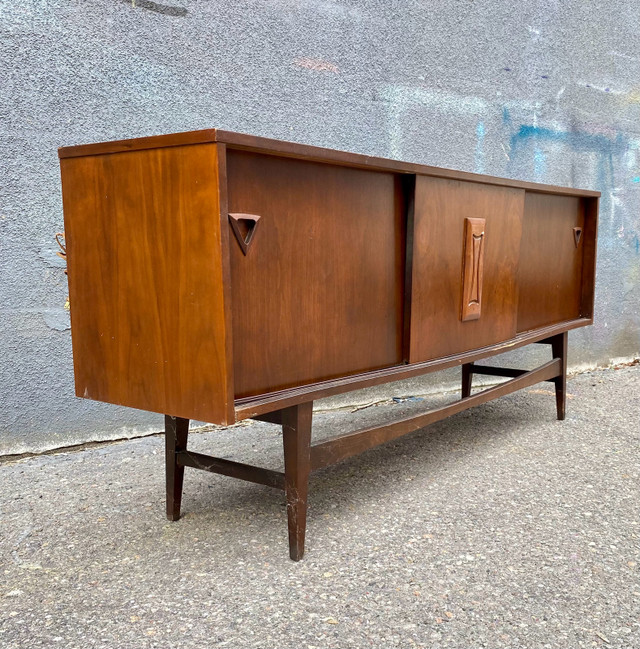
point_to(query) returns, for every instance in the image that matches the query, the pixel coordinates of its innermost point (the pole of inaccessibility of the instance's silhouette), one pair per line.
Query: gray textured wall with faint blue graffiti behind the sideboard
(545, 91)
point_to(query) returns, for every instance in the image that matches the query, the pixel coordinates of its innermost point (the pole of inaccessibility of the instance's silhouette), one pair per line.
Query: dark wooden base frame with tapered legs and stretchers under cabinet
(301, 457)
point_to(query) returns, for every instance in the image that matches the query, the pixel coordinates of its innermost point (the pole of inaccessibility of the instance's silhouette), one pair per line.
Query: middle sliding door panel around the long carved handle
(441, 207)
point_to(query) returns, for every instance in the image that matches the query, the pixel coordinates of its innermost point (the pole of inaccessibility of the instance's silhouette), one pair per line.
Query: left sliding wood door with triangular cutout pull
(330, 239)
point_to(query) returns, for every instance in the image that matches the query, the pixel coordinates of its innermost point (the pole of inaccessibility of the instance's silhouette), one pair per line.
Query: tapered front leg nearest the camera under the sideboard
(296, 434)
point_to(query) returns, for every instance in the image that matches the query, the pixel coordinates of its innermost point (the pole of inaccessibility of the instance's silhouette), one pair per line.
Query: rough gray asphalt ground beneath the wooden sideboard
(499, 527)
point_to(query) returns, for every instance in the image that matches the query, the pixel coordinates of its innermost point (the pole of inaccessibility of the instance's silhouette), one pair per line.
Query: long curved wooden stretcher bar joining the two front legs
(344, 446)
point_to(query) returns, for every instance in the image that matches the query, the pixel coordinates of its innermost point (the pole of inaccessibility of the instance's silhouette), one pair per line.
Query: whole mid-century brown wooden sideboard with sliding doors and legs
(216, 276)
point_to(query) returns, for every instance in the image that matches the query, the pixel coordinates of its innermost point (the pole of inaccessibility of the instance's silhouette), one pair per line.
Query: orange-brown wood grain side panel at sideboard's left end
(145, 280)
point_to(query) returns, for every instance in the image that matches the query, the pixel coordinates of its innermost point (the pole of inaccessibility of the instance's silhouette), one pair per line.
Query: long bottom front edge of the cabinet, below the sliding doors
(252, 407)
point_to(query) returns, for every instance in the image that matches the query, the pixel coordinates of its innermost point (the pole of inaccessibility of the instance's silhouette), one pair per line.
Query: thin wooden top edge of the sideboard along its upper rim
(303, 151)
